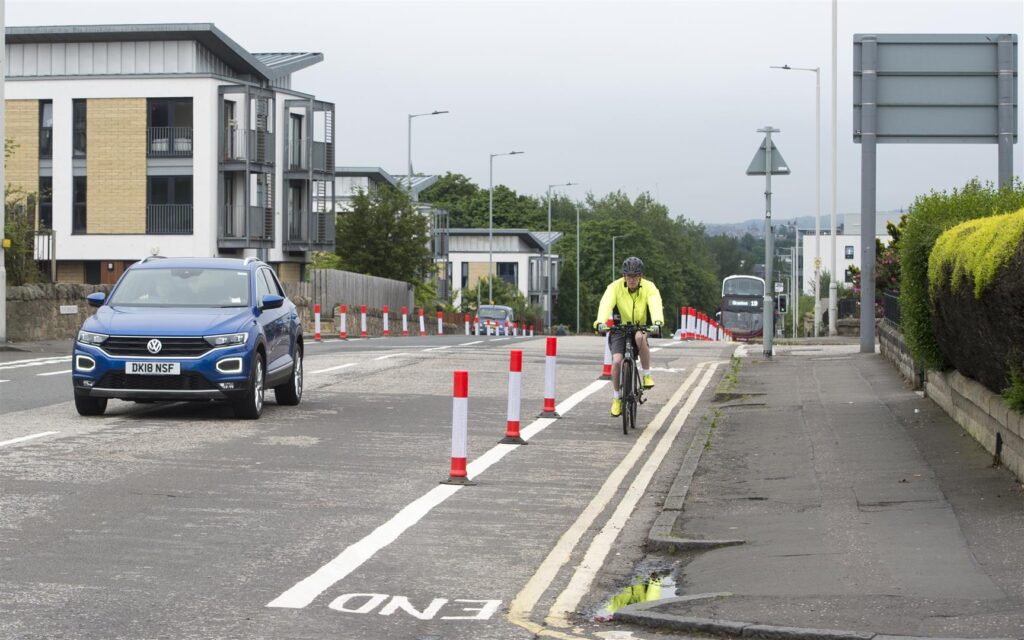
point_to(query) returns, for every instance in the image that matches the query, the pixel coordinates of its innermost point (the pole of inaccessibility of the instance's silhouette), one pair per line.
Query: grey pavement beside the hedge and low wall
(830, 500)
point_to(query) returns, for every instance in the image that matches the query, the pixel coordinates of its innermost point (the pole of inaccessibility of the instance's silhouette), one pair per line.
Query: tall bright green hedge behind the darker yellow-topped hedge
(928, 219)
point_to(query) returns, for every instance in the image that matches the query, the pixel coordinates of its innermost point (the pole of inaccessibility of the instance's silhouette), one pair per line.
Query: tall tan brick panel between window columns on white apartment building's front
(116, 164)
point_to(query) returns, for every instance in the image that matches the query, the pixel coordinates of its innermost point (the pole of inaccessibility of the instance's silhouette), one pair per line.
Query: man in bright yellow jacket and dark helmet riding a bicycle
(632, 297)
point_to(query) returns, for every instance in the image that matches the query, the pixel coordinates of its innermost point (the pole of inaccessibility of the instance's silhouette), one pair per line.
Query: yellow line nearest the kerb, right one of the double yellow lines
(570, 600)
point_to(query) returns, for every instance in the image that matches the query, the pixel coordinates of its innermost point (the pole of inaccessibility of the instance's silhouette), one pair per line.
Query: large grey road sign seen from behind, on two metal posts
(927, 89)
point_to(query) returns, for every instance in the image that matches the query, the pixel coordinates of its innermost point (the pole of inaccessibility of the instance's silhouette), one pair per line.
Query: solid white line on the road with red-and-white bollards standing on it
(354, 557)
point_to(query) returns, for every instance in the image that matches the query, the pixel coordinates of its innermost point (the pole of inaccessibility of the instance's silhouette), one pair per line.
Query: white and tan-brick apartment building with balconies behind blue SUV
(169, 140)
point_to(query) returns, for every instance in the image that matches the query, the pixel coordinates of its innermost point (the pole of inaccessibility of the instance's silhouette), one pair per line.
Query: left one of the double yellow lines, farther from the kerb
(560, 556)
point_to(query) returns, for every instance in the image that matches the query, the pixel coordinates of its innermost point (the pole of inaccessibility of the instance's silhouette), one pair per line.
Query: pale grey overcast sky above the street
(663, 98)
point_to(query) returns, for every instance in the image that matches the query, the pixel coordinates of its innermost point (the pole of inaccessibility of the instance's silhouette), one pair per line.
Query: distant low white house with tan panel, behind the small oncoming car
(518, 255)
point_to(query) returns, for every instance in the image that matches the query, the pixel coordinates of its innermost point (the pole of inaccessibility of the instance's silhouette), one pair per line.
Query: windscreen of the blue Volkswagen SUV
(183, 287)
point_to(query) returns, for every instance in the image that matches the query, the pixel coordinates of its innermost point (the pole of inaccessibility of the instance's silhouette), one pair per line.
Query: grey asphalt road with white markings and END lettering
(328, 521)
